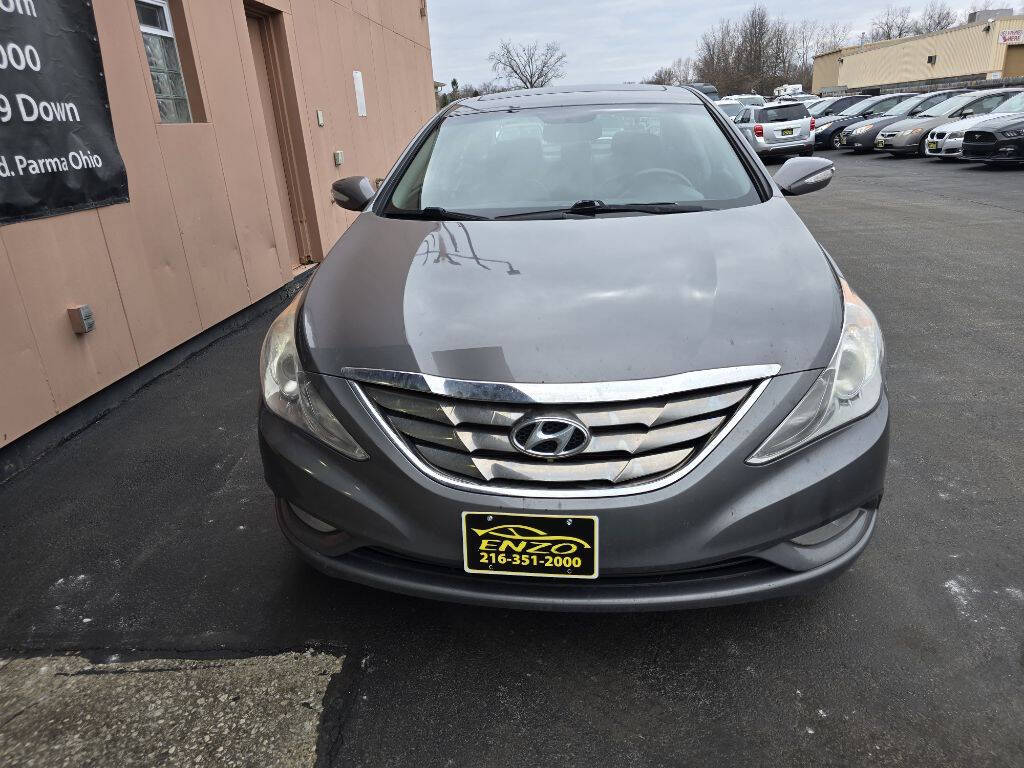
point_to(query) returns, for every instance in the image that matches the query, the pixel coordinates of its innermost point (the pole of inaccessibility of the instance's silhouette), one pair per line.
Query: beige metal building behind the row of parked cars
(976, 52)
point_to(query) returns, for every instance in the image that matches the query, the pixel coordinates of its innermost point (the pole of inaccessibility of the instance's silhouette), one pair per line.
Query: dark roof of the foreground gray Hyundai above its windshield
(572, 96)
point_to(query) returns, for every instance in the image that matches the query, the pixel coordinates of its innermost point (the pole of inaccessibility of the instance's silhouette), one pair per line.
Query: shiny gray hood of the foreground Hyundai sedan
(574, 301)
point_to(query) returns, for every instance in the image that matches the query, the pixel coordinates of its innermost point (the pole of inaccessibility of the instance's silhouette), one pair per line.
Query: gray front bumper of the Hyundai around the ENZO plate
(402, 531)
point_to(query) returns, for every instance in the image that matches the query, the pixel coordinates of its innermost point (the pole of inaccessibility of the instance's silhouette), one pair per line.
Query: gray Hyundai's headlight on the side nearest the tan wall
(290, 394)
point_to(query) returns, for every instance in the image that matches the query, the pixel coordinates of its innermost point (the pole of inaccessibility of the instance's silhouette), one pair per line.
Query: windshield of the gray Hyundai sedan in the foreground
(504, 163)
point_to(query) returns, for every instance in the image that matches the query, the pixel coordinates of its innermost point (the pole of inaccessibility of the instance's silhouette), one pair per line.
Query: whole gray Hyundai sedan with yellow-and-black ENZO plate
(578, 353)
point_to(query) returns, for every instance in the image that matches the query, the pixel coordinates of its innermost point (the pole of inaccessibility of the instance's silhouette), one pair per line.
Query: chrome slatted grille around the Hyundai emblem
(633, 443)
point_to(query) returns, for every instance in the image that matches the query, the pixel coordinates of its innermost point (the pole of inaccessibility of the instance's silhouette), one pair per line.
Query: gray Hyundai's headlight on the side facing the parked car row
(849, 389)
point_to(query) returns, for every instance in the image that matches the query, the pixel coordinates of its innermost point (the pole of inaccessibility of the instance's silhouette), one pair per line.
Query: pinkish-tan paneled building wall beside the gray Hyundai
(208, 231)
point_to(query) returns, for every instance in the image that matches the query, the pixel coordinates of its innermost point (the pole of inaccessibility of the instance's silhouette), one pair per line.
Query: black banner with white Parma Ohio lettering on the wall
(58, 151)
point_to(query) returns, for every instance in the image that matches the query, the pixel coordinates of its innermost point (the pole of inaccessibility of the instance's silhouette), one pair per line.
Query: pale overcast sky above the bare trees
(607, 41)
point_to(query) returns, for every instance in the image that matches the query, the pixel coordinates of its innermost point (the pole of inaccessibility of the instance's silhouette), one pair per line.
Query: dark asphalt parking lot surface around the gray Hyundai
(146, 550)
